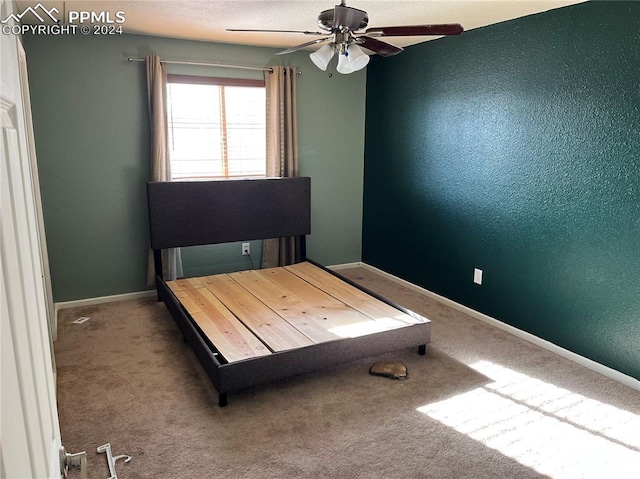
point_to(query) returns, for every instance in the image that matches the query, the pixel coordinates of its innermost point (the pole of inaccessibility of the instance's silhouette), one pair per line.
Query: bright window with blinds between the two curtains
(216, 127)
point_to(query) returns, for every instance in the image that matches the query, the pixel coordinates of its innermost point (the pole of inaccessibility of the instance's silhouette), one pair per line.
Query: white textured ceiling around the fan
(207, 19)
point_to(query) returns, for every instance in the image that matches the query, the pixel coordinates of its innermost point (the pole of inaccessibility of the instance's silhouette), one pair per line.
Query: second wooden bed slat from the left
(276, 333)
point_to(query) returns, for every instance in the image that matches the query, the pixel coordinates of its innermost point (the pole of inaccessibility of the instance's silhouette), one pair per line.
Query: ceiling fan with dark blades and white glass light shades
(341, 25)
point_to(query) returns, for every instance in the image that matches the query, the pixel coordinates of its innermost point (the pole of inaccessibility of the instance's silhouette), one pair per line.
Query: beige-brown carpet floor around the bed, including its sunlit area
(480, 404)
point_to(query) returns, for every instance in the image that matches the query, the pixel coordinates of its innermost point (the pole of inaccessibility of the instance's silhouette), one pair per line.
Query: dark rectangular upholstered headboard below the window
(189, 213)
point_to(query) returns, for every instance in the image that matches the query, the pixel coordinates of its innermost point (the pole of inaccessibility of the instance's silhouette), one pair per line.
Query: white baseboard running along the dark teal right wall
(565, 353)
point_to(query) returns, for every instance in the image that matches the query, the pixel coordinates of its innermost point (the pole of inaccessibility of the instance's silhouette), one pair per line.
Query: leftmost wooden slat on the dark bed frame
(231, 338)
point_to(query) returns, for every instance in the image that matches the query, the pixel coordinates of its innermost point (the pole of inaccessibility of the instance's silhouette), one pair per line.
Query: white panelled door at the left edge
(30, 434)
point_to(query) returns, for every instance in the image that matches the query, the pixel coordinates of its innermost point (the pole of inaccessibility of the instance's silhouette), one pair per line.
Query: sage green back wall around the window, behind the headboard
(92, 136)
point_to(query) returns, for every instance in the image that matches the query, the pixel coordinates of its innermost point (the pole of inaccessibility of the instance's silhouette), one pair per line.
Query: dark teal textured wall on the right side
(515, 148)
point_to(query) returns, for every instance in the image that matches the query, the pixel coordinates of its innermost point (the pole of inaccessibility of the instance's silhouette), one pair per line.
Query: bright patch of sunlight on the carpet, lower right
(549, 429)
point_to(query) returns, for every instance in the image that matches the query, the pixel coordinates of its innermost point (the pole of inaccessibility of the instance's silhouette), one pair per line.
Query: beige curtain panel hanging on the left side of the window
(160, 165)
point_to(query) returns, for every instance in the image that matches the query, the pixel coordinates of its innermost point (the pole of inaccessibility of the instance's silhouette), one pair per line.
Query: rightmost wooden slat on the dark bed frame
(357, 299)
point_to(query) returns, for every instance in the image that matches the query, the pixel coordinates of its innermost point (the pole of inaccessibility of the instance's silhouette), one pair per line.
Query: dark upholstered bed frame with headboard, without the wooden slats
(212, 212)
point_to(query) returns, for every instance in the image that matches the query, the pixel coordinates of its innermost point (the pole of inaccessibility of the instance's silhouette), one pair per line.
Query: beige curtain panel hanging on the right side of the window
(282, 152)
